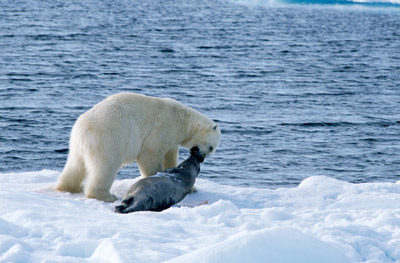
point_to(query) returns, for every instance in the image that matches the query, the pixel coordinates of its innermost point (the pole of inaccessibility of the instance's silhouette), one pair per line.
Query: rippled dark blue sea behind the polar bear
(300, 88)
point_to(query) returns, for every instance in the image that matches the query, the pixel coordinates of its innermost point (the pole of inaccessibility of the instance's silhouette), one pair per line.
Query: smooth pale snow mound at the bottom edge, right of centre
(267, 245)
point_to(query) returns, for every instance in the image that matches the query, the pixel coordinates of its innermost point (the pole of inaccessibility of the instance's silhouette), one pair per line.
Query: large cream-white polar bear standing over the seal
(128, 127)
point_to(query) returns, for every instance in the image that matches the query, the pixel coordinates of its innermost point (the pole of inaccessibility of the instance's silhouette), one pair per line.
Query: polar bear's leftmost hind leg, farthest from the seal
(72, 176)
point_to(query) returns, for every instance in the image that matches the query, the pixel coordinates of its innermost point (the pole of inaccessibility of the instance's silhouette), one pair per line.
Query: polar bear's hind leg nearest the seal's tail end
(100, 180)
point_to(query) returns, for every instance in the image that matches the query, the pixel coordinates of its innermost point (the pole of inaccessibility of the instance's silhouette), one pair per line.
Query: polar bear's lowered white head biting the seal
(206, 139)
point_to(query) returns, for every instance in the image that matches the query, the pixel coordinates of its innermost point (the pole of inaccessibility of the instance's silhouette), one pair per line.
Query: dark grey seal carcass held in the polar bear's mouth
(161, 191)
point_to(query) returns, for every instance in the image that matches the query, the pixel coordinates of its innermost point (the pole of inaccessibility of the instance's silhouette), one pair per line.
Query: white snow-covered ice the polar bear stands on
(321, 220)
